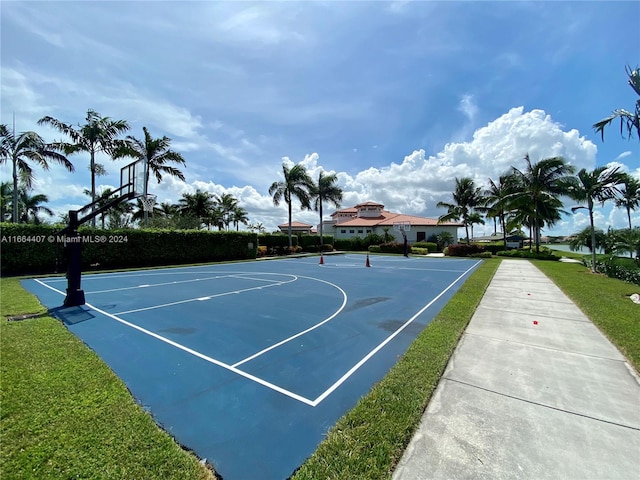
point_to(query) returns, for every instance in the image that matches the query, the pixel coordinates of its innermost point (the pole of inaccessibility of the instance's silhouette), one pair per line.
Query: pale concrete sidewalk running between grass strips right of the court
(534, 391)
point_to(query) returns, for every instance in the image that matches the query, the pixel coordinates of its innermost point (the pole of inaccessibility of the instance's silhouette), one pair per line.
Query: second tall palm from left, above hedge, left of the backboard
(98, 134)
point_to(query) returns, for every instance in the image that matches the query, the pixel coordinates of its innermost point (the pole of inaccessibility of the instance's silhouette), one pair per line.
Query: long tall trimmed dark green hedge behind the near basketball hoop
(32, 249)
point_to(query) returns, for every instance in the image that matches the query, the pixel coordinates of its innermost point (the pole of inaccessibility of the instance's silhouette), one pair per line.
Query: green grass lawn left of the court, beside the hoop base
(65, 414)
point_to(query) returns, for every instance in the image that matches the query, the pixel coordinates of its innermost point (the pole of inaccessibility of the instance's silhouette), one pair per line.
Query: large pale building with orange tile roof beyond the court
(371, 217)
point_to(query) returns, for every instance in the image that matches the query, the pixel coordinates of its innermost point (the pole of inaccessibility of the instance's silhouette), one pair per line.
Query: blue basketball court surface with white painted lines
(250, 364)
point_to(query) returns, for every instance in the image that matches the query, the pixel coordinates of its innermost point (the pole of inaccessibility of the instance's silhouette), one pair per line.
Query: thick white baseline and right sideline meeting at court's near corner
(272, 386)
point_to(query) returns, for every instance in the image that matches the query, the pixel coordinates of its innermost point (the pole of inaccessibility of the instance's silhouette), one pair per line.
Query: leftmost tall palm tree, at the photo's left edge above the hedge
(22, 149)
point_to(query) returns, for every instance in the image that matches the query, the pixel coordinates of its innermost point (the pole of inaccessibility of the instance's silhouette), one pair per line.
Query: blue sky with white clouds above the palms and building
(397, 98)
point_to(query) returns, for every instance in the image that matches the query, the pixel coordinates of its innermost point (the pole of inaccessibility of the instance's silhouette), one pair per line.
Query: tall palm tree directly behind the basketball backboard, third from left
(156, 153)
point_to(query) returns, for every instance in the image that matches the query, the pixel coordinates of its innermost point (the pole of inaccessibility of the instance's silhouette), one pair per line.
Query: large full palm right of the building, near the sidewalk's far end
(538, 189)
